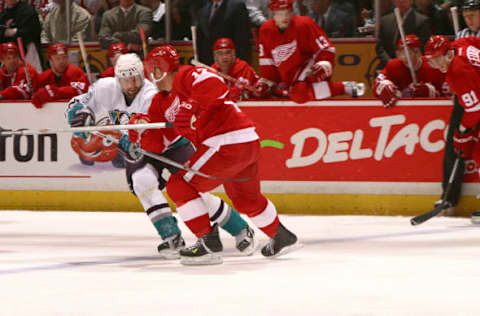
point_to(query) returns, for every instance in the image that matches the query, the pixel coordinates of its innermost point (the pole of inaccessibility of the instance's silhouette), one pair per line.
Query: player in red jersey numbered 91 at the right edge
(460, 62)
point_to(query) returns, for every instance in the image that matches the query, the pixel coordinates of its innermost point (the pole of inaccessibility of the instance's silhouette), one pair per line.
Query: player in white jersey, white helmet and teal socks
(121, 96)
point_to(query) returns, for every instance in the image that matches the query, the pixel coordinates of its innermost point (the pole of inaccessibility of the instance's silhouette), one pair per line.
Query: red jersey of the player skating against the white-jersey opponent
(219, 121)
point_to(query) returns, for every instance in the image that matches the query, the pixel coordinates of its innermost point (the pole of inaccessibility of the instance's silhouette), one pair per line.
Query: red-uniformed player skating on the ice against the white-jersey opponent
(227, 147)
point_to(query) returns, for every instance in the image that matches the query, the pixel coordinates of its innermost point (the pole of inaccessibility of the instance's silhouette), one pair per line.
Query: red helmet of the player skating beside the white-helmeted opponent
(164, 57)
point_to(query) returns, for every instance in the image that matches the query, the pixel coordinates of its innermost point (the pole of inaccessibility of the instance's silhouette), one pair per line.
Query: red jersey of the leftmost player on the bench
(14, 86)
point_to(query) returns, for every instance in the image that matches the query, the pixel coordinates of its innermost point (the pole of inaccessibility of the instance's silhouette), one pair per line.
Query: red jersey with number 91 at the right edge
(463, 77)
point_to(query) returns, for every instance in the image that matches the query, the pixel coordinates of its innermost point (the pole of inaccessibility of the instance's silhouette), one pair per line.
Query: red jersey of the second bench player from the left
(73, 82)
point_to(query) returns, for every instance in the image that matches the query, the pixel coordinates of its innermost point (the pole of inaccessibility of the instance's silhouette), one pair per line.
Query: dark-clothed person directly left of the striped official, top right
(438, 16)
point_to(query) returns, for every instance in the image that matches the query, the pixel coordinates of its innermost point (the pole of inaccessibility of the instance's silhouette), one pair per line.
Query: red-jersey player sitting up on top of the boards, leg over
(296, 54)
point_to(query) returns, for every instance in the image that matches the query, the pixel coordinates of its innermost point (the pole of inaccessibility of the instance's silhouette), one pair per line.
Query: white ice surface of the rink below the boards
(88, 263)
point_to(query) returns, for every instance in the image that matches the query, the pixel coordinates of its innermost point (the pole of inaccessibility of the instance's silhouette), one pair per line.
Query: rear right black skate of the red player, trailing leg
(282, 243)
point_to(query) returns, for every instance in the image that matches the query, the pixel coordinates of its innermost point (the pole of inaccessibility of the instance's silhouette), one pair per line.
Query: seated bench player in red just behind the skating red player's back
(227, 63)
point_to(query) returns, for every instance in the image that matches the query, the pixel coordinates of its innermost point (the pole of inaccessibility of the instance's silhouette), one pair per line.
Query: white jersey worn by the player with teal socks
(106, 95)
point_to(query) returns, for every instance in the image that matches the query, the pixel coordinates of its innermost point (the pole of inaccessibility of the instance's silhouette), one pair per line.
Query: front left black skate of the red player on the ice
(207, 250)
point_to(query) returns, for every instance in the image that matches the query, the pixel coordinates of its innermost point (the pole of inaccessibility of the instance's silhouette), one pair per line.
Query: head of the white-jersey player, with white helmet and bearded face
(129, 73)
